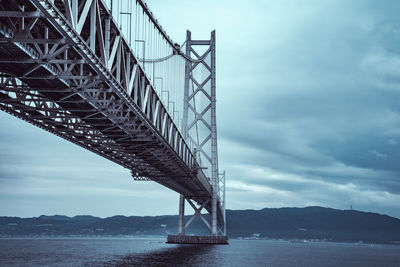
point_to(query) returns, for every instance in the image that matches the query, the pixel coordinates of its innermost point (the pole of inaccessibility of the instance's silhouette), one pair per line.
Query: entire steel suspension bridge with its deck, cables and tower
(106, 76)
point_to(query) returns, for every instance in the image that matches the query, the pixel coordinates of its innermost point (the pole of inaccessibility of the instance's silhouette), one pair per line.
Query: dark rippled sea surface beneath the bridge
(154, 252)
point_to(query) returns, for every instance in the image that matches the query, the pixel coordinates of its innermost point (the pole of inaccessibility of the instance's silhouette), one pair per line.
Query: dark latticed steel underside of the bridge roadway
(144, 151)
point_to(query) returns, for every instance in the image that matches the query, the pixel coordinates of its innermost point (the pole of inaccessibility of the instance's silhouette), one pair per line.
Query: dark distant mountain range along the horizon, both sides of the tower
(288, 223)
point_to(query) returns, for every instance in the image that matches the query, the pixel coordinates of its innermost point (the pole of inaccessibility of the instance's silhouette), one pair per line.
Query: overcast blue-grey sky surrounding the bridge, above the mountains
(308, 114)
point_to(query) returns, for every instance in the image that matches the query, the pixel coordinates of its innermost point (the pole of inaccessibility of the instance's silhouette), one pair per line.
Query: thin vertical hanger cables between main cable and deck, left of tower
(155, 51)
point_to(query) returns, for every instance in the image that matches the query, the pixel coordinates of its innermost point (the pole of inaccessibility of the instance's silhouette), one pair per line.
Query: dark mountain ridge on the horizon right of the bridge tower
(315, 223)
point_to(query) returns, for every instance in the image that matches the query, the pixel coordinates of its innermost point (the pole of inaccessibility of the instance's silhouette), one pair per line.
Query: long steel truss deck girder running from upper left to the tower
(58, 50)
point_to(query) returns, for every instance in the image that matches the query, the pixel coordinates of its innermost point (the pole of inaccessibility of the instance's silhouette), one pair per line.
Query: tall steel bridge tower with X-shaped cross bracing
(199, 127)
